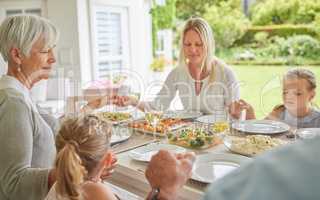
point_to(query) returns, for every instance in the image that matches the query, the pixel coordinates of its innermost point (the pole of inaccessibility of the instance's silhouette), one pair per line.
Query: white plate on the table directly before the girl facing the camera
(266, 127)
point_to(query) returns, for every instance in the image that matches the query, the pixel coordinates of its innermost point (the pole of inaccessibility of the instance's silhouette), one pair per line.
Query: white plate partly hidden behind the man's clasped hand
(145, 153)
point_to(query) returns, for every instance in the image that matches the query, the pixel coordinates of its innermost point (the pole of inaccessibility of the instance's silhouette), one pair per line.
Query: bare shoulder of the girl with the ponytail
(97, 191)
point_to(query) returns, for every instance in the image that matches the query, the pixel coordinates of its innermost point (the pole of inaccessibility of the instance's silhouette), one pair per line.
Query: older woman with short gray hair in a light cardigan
(27, 141)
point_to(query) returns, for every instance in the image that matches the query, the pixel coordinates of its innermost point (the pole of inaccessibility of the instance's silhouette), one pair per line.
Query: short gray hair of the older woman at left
(22, 31)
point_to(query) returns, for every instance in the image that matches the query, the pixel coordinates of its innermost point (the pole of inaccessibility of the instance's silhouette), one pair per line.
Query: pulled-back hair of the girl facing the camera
(302, 73)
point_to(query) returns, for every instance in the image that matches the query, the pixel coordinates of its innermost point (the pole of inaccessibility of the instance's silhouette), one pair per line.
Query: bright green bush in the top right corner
(284, 11)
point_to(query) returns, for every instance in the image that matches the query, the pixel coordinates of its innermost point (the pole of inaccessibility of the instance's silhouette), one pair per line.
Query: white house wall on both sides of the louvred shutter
(74, 48)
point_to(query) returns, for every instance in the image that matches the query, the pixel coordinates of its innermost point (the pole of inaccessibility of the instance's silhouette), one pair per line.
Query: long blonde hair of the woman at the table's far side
(204, 30)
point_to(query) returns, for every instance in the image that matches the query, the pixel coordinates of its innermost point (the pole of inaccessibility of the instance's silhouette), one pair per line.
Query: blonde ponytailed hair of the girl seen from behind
(81, 144)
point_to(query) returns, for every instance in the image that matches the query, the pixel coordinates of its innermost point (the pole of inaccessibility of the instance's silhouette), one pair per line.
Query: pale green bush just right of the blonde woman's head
(227, 21)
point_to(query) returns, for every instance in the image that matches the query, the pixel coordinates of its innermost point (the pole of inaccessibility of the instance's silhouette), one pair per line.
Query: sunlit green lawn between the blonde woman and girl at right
(261, 86)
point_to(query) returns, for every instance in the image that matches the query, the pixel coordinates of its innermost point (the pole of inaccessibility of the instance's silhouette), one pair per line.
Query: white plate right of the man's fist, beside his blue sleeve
(210, 167)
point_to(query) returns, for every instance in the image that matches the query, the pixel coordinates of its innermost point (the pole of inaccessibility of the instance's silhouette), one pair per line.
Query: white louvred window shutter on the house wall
(110, 38)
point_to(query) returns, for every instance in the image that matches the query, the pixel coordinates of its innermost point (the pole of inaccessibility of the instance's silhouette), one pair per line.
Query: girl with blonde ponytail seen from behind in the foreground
(83, 153)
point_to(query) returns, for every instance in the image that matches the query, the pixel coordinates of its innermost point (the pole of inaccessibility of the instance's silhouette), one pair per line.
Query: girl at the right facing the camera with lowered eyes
(299, 89)
